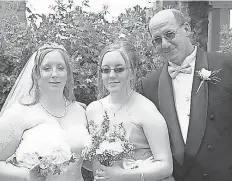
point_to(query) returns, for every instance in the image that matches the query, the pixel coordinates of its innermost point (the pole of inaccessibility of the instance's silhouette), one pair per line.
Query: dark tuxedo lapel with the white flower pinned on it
(198, 113)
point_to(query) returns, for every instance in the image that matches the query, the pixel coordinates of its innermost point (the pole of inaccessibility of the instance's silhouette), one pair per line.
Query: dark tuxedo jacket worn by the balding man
(207, 154)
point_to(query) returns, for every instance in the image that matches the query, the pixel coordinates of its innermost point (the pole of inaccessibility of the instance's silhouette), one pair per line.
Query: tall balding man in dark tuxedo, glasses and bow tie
(198, 113)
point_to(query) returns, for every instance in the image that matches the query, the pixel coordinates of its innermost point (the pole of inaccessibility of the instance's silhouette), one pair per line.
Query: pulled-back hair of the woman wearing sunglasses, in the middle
(130, 56)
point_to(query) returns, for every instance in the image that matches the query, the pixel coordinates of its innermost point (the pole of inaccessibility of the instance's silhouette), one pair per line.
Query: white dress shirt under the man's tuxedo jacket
(182, 88)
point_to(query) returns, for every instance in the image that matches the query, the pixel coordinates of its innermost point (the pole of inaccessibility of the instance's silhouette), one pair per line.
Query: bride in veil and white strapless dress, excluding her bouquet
(43, 93)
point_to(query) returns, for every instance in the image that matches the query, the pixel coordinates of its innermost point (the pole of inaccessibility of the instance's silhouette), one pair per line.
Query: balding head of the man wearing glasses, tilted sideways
(170, 35)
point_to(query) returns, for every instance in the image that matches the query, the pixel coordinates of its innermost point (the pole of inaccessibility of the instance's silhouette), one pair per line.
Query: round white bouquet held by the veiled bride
(43, 149)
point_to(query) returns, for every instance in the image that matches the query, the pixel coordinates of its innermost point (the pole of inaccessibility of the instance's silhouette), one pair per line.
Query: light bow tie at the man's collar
(175, 70)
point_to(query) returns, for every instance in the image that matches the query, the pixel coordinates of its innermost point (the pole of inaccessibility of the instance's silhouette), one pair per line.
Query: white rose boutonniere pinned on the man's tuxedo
(207, 75)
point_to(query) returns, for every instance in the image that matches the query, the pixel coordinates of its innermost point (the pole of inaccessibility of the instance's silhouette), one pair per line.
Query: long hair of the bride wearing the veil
(34, 92)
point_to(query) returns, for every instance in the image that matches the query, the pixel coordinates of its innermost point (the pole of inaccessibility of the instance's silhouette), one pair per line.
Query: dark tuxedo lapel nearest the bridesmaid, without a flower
(167, 108)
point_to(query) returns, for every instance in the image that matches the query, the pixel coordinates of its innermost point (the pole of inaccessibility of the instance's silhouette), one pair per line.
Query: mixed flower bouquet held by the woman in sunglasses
(107, 143)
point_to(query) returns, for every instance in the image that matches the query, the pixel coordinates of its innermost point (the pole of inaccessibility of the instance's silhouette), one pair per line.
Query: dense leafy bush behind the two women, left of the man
(84, 35)
